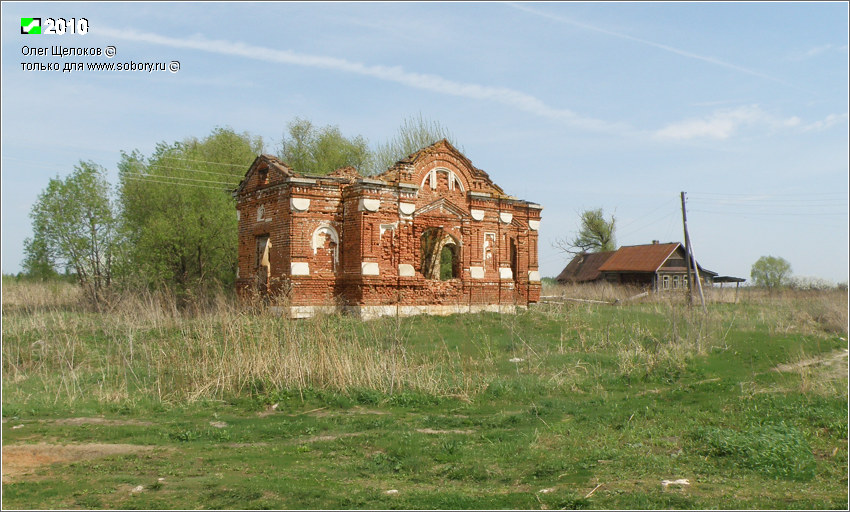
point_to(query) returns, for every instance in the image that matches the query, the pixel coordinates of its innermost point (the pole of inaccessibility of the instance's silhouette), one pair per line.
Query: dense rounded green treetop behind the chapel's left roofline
(311, 150)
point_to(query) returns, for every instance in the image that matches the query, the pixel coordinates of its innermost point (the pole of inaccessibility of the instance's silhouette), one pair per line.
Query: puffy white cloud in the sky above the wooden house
(722, 124)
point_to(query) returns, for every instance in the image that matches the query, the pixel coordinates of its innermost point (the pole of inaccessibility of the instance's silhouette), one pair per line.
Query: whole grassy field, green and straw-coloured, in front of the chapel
(565, 406)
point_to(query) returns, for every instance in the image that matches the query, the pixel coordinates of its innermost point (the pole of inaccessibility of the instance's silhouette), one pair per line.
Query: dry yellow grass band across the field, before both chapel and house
(146, 346)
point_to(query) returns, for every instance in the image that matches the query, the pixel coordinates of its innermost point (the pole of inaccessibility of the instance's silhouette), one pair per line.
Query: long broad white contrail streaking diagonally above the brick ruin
(397, 74)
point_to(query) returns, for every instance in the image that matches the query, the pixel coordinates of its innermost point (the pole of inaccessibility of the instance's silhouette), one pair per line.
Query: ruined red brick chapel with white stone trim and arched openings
(432, 234)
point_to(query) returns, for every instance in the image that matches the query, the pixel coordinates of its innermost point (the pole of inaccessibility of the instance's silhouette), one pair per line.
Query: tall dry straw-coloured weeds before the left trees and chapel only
(147, 346)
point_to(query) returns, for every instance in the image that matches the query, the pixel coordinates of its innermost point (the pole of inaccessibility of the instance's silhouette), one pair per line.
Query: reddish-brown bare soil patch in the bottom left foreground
(21, 459)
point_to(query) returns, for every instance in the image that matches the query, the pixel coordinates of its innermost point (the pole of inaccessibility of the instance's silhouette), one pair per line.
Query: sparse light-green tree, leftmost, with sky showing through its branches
(74, 225)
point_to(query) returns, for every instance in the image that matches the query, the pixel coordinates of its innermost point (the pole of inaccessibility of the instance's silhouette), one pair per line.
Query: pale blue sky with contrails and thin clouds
(574, 106)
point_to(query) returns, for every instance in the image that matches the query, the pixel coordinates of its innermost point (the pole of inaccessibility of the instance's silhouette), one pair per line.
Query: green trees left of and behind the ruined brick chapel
(170, 220)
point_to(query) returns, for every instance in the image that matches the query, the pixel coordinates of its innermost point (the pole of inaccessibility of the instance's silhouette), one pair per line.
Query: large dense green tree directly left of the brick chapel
(178, 212)
